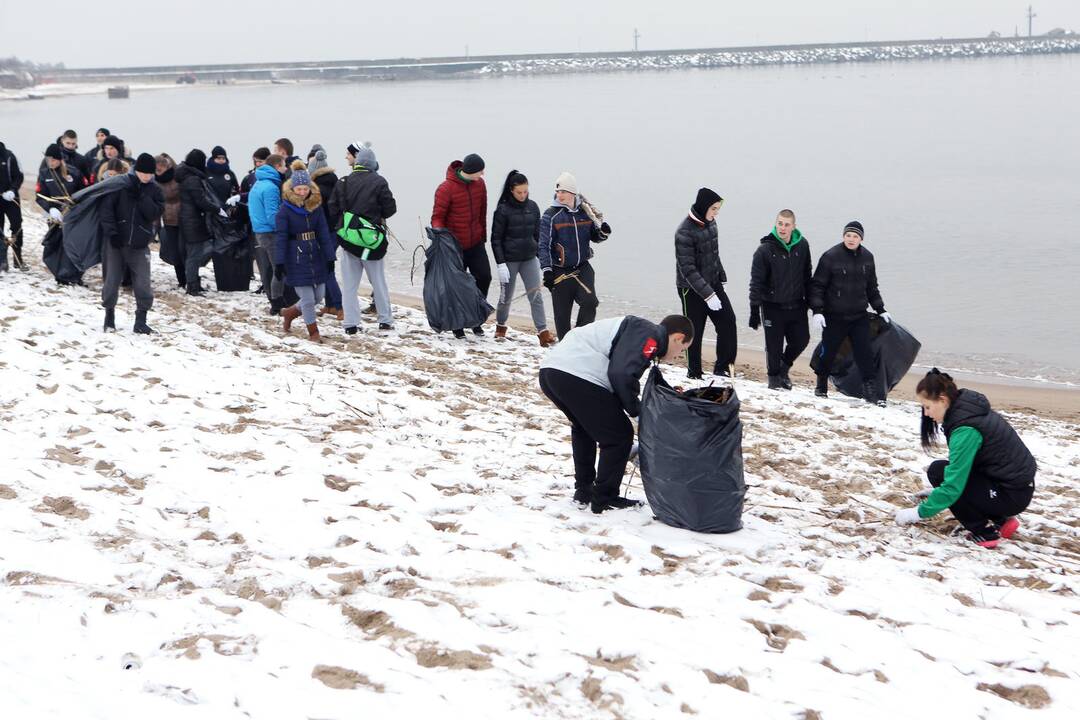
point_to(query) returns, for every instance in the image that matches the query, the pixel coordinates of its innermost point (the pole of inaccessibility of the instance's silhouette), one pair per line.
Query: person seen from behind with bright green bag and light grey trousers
(359, 209)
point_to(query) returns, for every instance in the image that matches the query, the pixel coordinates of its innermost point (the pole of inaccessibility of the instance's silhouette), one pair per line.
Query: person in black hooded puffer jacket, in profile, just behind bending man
(699, 281)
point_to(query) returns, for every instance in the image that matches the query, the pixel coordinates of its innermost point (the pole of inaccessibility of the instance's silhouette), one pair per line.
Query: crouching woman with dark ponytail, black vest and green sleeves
(990, 477)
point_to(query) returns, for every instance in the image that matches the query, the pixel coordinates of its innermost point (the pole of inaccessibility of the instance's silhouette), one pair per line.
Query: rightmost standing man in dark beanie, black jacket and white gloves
(844, 284)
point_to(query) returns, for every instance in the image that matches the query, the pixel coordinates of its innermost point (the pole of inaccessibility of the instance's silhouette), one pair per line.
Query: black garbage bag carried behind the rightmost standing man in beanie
(895, 352)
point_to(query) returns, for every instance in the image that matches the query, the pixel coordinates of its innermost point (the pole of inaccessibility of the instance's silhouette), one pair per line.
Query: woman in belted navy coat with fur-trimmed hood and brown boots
(304, 250)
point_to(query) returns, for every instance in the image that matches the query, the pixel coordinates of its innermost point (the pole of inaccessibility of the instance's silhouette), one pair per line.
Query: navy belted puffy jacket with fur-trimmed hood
(303, 242)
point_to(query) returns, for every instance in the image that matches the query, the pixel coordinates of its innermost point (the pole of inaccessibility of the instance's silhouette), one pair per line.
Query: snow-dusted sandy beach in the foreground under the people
(263, 528)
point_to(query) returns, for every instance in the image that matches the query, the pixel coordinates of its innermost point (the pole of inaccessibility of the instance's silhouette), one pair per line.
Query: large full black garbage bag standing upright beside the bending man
(692, 458)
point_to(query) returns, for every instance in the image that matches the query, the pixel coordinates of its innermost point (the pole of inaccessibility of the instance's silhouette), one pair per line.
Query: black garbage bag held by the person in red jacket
(451, 296)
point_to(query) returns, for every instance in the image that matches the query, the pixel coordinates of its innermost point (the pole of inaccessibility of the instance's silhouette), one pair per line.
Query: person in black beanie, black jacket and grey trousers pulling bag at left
(128, 219)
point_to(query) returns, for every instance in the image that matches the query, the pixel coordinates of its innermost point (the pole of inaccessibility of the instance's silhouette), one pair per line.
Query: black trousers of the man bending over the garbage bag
(597, 419)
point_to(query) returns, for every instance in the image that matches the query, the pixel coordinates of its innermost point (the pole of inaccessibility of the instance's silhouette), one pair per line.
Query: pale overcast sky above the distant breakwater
(125, 33)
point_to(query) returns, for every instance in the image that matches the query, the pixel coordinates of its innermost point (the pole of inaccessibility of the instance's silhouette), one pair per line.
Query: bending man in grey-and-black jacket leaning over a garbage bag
(593, 377)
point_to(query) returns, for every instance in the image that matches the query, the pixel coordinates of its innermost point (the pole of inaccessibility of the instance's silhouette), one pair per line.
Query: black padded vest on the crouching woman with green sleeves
(1003, 458)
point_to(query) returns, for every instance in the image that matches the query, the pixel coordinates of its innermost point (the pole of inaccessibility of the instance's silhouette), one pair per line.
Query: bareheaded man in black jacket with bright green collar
(779, 291)
